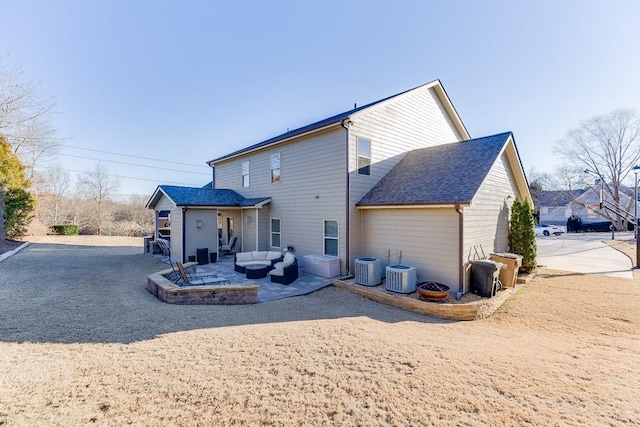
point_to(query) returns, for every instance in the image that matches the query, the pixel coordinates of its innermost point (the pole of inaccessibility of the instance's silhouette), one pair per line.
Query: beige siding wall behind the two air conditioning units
(427, 238)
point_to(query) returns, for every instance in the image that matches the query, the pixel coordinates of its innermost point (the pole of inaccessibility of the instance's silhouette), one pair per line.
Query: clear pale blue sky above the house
(193, 80)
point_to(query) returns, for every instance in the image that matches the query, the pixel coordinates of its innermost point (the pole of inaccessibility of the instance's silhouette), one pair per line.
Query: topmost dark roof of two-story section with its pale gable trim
(339, 118)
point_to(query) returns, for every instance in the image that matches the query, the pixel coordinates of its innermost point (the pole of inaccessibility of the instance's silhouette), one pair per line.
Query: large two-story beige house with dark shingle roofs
(398, 179)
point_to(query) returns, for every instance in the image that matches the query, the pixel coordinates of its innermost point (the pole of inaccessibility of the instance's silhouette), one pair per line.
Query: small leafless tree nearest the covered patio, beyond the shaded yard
(98, 186)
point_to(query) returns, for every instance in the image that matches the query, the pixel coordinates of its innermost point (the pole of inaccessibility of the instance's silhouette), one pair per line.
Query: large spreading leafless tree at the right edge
(607, 147)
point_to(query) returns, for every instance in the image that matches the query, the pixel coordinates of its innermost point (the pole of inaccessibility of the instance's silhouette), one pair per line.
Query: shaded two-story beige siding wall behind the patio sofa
(312, 187)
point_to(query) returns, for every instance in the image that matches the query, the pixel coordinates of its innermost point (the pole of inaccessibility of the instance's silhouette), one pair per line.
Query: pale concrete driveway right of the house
(584, 253)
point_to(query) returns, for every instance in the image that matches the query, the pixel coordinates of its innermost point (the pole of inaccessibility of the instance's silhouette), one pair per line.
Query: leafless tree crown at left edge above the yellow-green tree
(25, 116)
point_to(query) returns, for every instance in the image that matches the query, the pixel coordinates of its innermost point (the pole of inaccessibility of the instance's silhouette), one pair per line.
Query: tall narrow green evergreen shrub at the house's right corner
(522, 235)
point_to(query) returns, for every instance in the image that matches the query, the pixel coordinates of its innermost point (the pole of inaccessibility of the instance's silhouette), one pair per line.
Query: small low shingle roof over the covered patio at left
(207, 196)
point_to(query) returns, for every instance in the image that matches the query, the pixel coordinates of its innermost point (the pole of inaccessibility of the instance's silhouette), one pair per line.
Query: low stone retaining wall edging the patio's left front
(169, 292)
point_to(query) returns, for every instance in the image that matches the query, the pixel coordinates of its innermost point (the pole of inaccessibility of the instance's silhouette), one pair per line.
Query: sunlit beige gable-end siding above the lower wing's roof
(414, 120)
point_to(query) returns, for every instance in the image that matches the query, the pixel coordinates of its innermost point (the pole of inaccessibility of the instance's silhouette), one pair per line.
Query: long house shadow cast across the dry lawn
(89, 294)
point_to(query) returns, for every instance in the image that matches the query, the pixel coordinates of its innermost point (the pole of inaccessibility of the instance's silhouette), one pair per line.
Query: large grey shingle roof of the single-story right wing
(444, 174)
